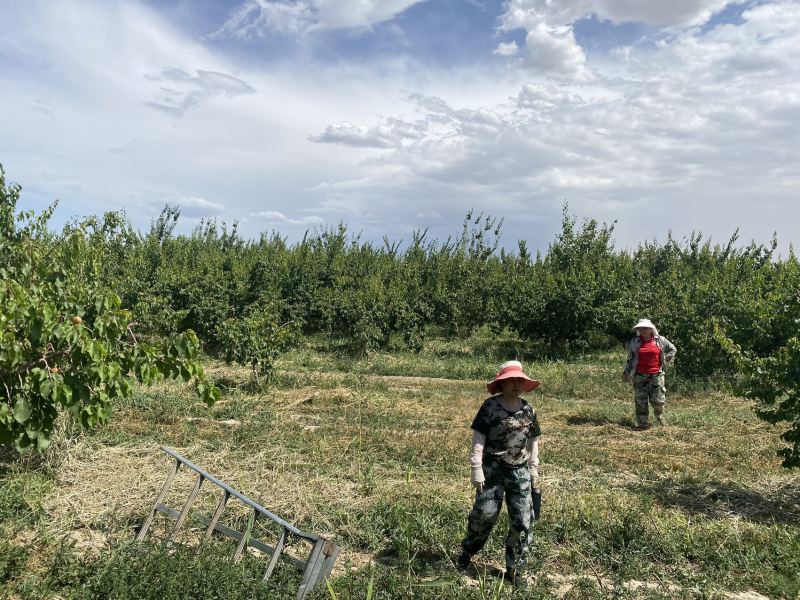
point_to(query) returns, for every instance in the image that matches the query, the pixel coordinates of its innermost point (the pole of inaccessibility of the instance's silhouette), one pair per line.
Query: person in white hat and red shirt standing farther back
(648, 356)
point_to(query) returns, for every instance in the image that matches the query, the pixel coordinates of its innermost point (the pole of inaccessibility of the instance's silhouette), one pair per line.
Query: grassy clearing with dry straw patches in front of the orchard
(372, 452)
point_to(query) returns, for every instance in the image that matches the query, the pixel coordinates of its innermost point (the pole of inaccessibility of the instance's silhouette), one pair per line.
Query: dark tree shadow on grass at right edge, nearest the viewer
(776, 505)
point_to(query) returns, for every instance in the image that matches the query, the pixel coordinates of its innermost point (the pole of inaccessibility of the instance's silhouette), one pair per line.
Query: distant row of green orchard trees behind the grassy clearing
(582, 293)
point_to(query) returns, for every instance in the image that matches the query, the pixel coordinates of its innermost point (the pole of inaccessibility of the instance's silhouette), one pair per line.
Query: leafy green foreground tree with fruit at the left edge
(66, 343)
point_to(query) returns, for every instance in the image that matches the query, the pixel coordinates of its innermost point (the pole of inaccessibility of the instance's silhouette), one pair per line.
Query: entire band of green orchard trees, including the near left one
(248, 300)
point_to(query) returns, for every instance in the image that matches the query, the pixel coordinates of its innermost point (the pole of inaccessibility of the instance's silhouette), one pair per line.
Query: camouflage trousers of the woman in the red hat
(515, 484)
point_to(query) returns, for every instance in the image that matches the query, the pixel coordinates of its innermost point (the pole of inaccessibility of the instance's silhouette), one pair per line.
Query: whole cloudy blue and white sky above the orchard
(398, 115)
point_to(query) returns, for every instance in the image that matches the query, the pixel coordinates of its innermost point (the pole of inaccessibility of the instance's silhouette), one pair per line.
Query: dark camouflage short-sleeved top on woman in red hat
(507, 433)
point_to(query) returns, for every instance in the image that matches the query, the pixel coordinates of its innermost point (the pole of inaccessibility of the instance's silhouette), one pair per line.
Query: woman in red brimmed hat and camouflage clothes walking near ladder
(504, 461)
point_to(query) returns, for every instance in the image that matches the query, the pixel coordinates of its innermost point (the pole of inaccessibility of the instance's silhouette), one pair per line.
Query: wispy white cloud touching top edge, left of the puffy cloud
(258, 18)
